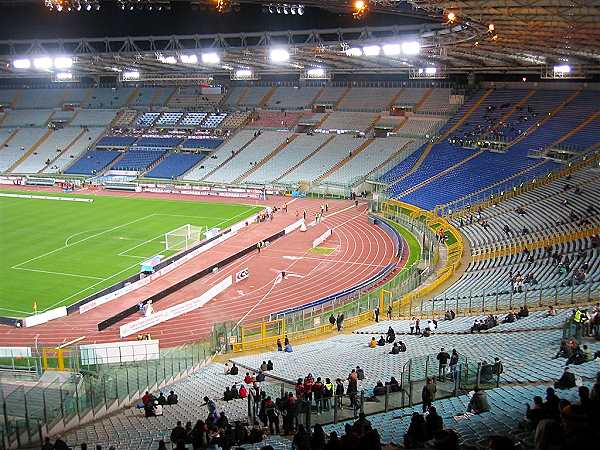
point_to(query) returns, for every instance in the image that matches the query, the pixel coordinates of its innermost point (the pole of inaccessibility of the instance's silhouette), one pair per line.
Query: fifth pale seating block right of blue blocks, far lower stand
(368, 160)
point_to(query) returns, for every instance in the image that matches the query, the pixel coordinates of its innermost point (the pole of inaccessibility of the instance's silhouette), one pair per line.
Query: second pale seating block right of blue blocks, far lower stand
(266, 143)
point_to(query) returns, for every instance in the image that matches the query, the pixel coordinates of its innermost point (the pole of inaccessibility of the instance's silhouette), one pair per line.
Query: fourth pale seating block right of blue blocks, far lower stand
(332, 153)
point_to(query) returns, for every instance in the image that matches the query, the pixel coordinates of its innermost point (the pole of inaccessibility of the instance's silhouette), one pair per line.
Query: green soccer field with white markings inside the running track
(55, 252)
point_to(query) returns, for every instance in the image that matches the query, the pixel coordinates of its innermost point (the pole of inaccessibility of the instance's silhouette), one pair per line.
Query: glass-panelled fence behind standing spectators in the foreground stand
(465, 376)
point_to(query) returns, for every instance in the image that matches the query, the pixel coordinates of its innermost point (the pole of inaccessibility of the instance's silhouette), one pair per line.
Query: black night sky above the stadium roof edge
(34, 21)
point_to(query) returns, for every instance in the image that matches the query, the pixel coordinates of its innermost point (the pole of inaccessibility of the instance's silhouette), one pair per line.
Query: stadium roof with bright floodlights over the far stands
(508, 36)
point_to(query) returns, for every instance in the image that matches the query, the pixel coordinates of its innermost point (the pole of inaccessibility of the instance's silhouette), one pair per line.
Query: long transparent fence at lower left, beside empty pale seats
(86, 391)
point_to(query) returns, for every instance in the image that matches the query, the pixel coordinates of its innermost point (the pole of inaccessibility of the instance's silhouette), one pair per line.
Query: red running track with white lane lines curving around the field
(361, 250)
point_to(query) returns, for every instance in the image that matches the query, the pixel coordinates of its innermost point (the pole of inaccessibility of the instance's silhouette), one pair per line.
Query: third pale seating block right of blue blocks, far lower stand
(291, 155)
